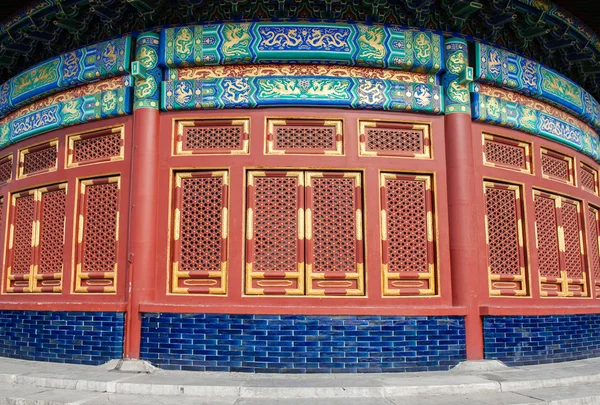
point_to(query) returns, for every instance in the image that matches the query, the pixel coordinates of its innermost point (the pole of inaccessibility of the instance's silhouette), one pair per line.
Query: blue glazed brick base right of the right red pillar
(526, 340)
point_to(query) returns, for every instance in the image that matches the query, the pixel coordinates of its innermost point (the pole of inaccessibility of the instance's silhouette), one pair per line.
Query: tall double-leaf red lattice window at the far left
(36, 240)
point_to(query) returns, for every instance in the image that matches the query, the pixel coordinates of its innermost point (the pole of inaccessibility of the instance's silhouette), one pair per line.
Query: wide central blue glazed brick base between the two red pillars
(302, 344)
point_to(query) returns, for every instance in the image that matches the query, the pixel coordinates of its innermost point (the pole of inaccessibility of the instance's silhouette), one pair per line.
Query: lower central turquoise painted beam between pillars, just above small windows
(249, 92)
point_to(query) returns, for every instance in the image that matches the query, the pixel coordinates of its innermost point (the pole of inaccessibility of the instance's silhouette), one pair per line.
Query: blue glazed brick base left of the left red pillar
(66, 337)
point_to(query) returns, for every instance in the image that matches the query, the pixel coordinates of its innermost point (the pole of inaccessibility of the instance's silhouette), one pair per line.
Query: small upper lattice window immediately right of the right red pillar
(506, 153)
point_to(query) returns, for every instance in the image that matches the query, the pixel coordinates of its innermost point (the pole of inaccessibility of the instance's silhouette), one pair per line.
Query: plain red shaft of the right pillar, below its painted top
(464, 247)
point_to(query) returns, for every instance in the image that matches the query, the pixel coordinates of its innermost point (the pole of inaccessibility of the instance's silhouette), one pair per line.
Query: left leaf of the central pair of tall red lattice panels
(275, 233)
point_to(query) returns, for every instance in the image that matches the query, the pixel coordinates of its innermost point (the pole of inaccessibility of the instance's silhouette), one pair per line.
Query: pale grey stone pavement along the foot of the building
(36, 383)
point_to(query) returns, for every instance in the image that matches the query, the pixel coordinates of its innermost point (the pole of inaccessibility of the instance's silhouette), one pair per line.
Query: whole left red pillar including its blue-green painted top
(143, 221)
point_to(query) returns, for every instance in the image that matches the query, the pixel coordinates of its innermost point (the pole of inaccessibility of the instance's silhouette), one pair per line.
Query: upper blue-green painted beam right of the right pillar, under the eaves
(510, 71)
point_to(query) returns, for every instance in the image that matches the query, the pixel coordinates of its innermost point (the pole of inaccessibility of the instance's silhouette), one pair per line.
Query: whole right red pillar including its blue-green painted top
(462, 196)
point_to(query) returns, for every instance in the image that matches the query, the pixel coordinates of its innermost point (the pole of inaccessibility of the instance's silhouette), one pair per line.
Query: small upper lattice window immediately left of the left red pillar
(100, 146)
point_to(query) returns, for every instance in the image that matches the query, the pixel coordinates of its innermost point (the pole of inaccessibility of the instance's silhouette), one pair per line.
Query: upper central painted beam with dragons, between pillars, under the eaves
(302, 42)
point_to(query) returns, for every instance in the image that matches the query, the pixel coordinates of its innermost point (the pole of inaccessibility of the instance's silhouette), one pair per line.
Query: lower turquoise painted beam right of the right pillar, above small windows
(517, 116)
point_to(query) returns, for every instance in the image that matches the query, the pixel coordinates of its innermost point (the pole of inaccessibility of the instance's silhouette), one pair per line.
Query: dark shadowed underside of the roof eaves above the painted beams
(529, 27)
